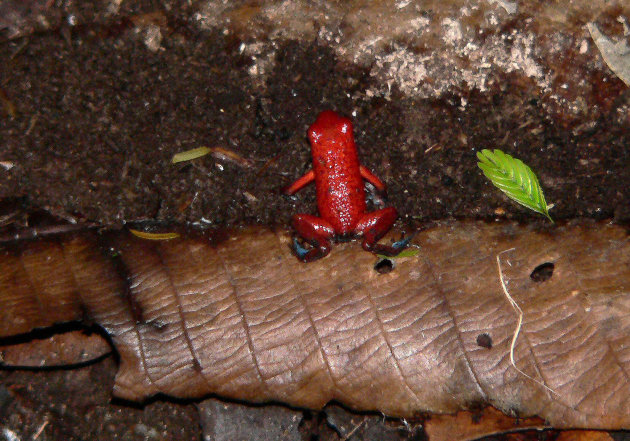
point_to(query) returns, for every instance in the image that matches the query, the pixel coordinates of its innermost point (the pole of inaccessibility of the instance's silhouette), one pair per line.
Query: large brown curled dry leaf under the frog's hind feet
(242, 318)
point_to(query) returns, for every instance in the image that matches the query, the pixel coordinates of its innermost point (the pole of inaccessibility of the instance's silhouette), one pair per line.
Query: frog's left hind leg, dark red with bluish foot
(315, 231)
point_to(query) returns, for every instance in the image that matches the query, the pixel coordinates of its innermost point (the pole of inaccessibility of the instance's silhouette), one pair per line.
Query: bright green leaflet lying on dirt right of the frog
(514, 178)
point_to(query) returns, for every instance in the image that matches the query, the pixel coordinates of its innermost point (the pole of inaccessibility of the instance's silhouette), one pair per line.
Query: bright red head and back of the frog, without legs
(338, 181)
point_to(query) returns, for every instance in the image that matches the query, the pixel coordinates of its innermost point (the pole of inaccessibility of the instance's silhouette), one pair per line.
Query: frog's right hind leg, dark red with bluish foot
(373, 226)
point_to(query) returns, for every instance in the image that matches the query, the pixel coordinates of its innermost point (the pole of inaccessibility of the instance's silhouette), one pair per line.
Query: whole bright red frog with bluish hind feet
(340, 192)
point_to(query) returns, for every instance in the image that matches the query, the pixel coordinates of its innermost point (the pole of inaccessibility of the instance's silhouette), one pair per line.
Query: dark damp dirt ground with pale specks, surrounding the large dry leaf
(97, 96)
